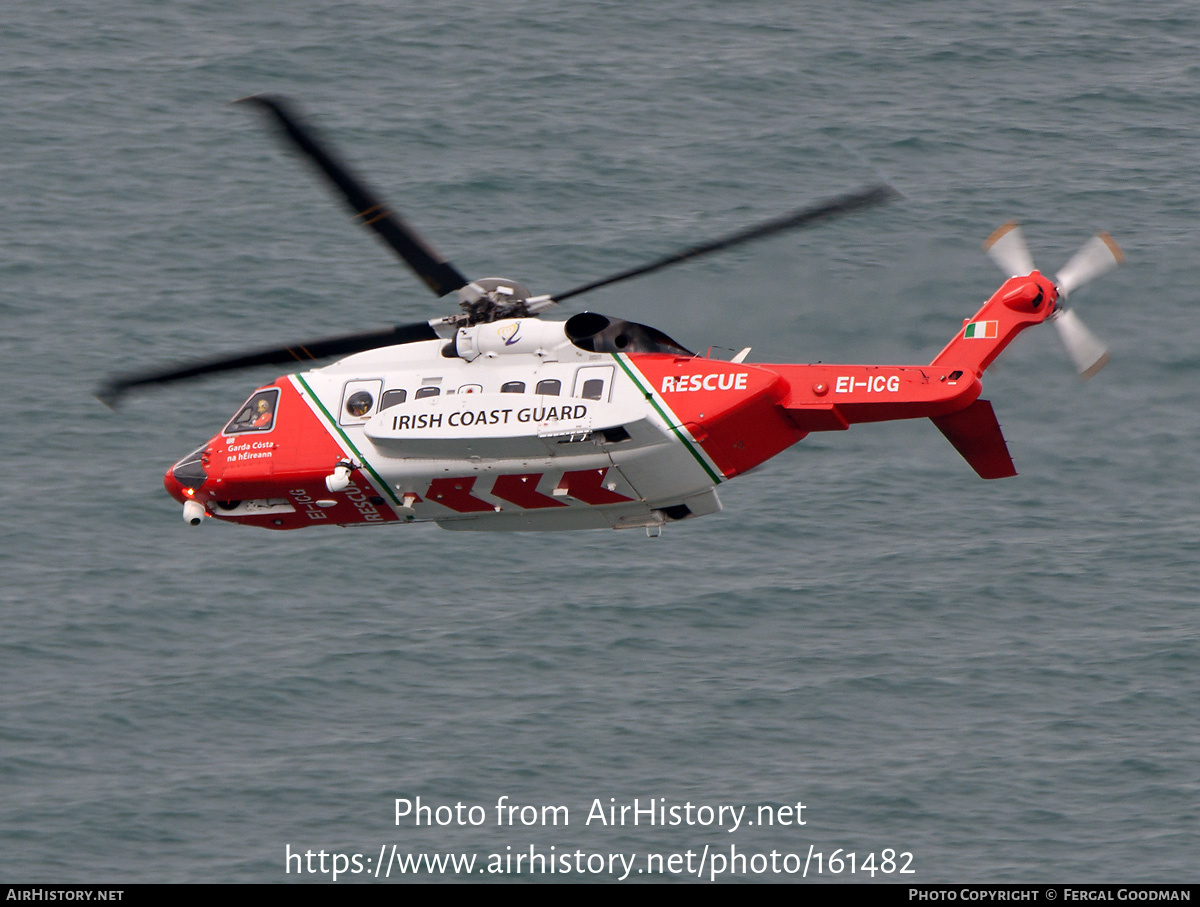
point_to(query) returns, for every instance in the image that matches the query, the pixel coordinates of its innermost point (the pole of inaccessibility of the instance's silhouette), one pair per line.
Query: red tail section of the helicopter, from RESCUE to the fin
(742, 416)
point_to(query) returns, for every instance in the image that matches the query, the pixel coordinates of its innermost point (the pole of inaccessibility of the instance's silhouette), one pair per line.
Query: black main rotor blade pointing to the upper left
(430, 266)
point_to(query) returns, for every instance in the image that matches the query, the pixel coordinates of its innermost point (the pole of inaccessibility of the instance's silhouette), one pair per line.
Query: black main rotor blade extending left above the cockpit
(111, 392)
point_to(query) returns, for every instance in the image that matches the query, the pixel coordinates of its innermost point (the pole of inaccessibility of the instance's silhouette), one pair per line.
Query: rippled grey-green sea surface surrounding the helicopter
(1000, 678)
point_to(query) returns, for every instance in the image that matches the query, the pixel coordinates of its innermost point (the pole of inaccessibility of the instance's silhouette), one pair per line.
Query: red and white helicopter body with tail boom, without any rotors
(593, 423)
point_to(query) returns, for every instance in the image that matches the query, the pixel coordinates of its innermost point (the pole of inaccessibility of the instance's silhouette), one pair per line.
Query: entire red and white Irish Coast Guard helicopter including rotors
(495, 419)
